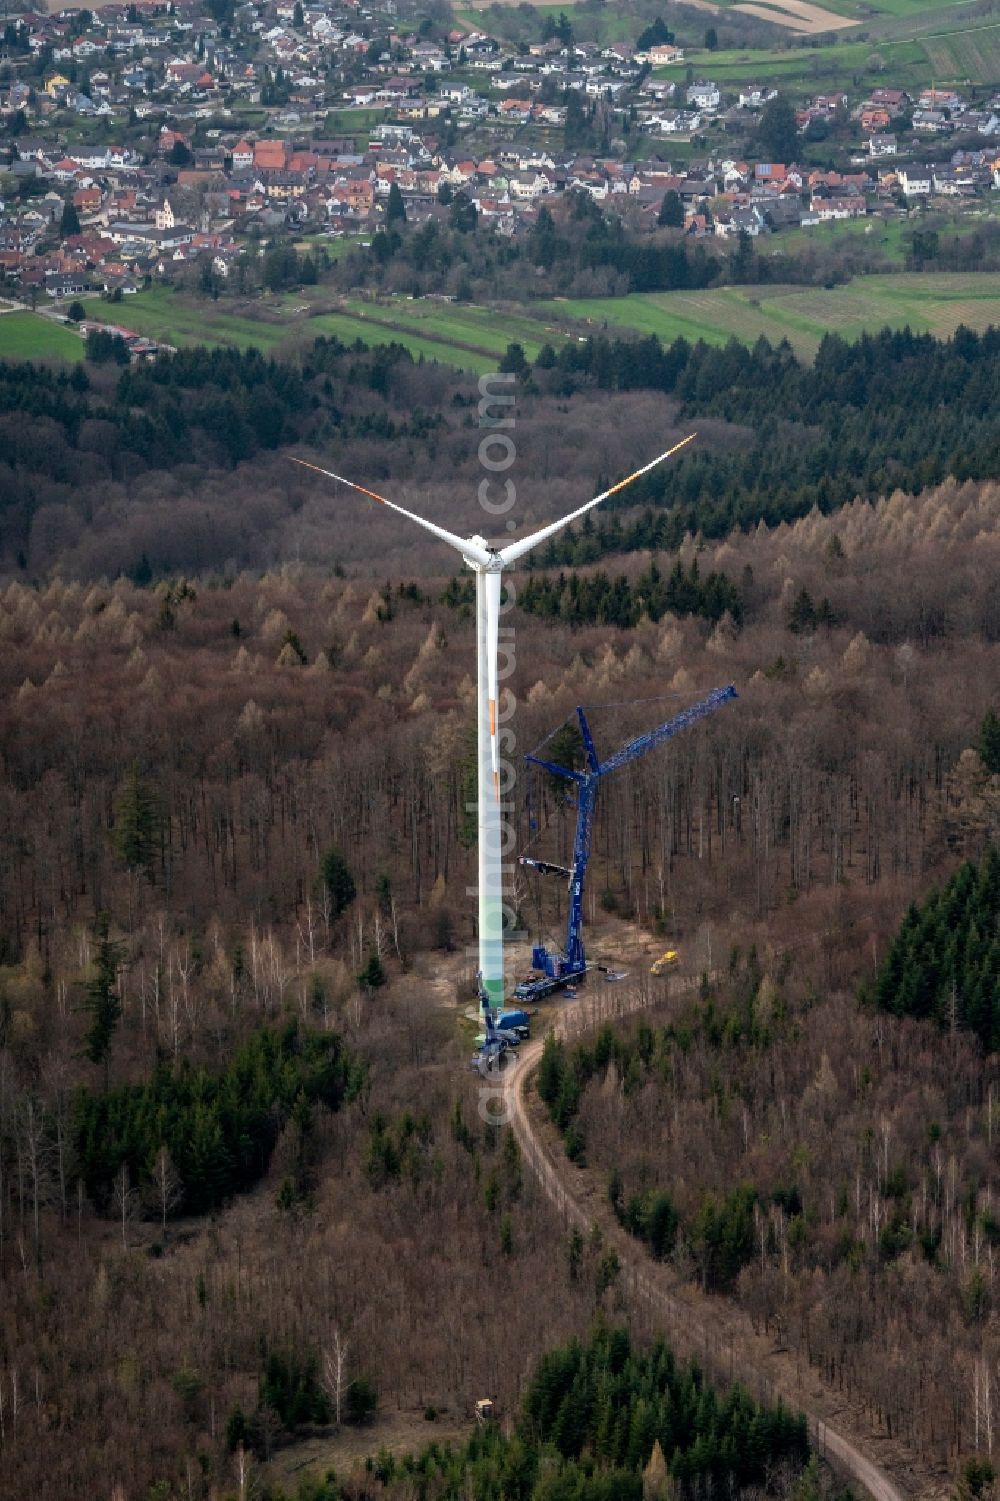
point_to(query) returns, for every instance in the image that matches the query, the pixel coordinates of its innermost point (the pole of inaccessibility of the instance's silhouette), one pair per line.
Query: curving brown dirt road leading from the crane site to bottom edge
(711, 1329)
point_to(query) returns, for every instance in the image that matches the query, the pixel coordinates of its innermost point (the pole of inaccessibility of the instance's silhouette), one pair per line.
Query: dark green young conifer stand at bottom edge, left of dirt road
(598, 1421)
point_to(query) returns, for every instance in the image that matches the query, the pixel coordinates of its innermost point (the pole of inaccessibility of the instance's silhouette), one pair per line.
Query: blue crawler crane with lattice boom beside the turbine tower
(559, 970)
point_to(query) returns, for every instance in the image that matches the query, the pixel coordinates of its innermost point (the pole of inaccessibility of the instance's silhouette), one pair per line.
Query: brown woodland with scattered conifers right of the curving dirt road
(849, 1209)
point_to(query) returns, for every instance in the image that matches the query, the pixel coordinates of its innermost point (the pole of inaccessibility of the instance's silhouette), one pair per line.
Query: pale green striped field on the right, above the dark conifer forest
(801, 314)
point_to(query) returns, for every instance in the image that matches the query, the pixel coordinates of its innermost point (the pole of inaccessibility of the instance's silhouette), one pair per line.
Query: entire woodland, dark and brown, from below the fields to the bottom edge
(245, 1191)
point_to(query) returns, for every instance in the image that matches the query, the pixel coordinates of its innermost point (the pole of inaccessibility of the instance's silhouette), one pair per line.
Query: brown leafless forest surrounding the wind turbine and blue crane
(252, 789)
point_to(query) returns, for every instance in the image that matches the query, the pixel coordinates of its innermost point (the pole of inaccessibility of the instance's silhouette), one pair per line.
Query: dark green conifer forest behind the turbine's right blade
(894, 411)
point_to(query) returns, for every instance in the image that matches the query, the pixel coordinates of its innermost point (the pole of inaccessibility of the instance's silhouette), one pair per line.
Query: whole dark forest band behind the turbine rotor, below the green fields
(133, 471)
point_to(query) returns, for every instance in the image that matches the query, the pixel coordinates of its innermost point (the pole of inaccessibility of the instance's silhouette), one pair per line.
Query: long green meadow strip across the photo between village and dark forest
(475, 338)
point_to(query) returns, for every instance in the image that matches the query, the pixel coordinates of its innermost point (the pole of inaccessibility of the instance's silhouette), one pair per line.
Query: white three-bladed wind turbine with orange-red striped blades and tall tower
(489, 564)
